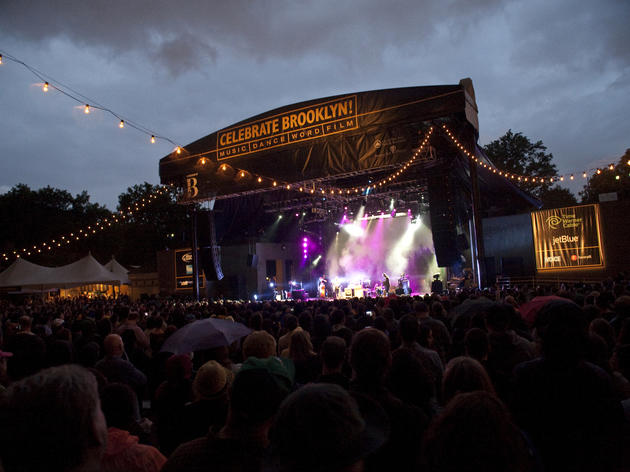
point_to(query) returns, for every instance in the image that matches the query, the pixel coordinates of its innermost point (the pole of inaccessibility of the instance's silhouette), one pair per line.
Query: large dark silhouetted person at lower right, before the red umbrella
(566, 404)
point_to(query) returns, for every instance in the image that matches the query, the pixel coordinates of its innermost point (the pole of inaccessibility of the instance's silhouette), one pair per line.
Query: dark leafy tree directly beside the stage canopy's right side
(516, 154)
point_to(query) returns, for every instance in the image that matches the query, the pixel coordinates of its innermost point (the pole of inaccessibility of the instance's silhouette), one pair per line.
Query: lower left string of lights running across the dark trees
(65, 240)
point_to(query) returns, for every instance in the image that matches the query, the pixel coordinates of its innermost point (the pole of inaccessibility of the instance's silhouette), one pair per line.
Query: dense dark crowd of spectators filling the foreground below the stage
(444, 382)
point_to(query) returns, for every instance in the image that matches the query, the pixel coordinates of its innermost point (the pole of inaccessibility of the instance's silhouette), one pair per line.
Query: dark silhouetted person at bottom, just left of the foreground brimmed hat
(241, 444)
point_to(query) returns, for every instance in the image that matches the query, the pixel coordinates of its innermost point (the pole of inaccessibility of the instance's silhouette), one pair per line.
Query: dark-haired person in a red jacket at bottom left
(124, 453)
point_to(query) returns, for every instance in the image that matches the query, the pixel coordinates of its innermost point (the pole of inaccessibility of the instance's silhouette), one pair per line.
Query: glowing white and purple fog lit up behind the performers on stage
(365, 248)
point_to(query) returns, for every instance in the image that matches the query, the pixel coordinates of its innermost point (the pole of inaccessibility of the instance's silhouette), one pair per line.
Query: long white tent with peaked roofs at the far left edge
(85, 271)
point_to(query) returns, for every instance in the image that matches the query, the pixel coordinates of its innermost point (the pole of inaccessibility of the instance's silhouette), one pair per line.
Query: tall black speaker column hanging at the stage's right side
(442, 215)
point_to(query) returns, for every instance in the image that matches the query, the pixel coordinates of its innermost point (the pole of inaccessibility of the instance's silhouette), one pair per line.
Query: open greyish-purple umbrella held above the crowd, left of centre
(204, 334)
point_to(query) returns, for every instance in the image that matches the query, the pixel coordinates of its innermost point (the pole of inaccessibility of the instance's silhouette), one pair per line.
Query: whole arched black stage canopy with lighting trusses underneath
(321, 159)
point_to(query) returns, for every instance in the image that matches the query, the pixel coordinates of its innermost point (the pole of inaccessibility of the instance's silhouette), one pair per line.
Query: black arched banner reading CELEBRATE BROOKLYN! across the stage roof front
(315, 139)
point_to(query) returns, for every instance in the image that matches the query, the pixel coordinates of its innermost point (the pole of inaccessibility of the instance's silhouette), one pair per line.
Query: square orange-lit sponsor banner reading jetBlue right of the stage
(567, 238)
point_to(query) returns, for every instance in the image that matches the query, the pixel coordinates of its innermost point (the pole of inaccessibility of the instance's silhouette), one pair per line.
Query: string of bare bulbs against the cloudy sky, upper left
(49, 83)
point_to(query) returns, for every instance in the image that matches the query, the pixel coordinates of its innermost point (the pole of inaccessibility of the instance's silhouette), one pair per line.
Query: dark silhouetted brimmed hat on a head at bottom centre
(320, 427)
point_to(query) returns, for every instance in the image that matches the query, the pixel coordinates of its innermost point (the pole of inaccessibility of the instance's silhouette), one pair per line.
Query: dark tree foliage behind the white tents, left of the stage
(31, 217)
